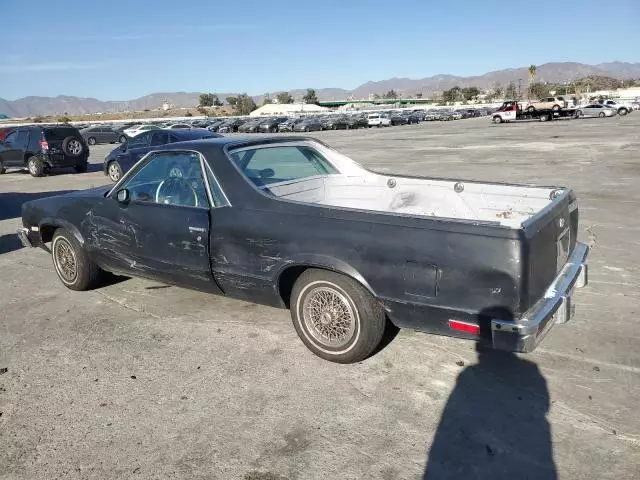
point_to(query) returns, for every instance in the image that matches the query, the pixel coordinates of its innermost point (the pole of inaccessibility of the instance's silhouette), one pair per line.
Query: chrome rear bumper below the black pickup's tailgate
(556, 307)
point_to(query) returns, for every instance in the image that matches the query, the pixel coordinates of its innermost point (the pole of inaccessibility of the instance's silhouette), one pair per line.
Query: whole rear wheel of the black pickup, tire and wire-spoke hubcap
(367, 317)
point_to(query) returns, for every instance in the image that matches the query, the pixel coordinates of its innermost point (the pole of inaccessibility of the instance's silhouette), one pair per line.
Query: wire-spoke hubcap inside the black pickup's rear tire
(329, 317)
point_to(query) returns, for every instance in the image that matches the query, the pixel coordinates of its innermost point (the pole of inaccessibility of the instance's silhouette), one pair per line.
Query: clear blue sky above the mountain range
(119, 50)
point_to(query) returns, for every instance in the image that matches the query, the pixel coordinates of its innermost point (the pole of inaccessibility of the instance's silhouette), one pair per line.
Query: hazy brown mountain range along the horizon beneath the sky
(549, 72)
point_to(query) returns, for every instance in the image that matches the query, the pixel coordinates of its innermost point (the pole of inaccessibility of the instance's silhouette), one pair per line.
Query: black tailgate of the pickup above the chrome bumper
(549, 239)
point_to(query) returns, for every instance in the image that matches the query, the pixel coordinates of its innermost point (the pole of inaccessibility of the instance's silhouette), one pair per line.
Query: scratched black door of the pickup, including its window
(161, 229)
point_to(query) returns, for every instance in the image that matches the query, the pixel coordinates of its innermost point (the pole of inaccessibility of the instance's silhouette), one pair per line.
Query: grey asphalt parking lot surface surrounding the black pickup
(142, 380)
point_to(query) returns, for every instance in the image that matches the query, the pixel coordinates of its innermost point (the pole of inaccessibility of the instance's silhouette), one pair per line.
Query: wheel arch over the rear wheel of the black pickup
(287, 276)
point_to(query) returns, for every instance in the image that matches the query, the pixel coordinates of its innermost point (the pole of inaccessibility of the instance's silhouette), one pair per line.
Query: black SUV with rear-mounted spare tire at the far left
(40, 148)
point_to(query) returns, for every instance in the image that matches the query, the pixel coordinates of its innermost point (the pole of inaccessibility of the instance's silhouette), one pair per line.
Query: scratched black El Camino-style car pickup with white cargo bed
(291, 223)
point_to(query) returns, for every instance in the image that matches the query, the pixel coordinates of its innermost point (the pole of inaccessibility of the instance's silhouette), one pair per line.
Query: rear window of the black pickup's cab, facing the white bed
(264, 166)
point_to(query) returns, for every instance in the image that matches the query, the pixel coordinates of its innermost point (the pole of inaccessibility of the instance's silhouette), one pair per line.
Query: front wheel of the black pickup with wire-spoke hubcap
(71, 263)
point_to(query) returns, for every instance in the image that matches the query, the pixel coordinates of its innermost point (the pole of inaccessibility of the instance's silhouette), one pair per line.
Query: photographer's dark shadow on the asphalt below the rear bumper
(494, 425)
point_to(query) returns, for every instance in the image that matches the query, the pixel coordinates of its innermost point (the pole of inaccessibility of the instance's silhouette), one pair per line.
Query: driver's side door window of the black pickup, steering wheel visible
(169, 178)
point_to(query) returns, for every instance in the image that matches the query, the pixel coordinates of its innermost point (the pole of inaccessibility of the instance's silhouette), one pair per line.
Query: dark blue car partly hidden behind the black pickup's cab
(122, 158)
